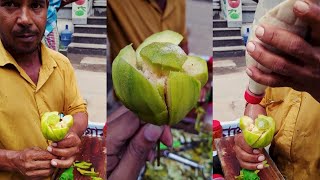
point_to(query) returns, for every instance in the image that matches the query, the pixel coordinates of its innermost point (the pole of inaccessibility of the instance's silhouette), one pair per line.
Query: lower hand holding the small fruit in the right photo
(248, 158)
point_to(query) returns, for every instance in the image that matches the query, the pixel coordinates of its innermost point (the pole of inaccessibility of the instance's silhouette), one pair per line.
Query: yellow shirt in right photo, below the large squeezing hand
(296, 145)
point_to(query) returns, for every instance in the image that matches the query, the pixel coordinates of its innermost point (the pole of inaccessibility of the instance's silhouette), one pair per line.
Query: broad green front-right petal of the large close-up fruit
(182, 95)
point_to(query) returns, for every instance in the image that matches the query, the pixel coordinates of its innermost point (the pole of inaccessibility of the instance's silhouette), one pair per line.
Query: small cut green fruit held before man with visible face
(52, 128)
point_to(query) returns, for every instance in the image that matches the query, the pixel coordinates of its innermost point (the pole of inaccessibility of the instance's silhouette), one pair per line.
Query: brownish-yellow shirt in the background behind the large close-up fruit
(132, 21)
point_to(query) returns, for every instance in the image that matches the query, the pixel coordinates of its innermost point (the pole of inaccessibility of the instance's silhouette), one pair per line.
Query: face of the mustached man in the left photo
(22, 24)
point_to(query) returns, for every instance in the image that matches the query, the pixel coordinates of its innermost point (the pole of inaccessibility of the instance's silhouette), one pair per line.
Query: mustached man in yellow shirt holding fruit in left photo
(34, 80)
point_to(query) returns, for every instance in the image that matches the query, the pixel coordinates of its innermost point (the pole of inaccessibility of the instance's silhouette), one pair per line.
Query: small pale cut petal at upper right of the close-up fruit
(197, 68)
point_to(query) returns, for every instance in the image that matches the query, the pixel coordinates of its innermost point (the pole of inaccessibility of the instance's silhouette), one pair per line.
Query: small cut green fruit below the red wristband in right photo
(258, 133)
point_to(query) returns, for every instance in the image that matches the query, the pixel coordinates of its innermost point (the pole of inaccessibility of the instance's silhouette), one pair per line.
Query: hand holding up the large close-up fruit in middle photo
(130, 144)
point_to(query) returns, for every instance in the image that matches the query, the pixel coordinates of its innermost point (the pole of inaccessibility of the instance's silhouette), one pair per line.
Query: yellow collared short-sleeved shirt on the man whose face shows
(22, 102)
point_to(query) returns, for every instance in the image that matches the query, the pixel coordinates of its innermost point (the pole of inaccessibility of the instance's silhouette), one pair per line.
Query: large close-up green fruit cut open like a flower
(162, 89)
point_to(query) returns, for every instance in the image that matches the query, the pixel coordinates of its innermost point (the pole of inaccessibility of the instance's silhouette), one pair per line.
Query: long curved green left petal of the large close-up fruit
(135, 91)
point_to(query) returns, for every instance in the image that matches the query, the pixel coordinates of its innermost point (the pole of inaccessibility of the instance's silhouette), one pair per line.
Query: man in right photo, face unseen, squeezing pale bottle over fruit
(296, 110)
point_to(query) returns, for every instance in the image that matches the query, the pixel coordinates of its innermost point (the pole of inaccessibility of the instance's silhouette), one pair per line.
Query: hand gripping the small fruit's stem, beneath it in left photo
(66, 150)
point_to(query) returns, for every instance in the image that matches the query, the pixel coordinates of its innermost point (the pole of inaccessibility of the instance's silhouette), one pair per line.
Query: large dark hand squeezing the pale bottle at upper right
(299, 65)
